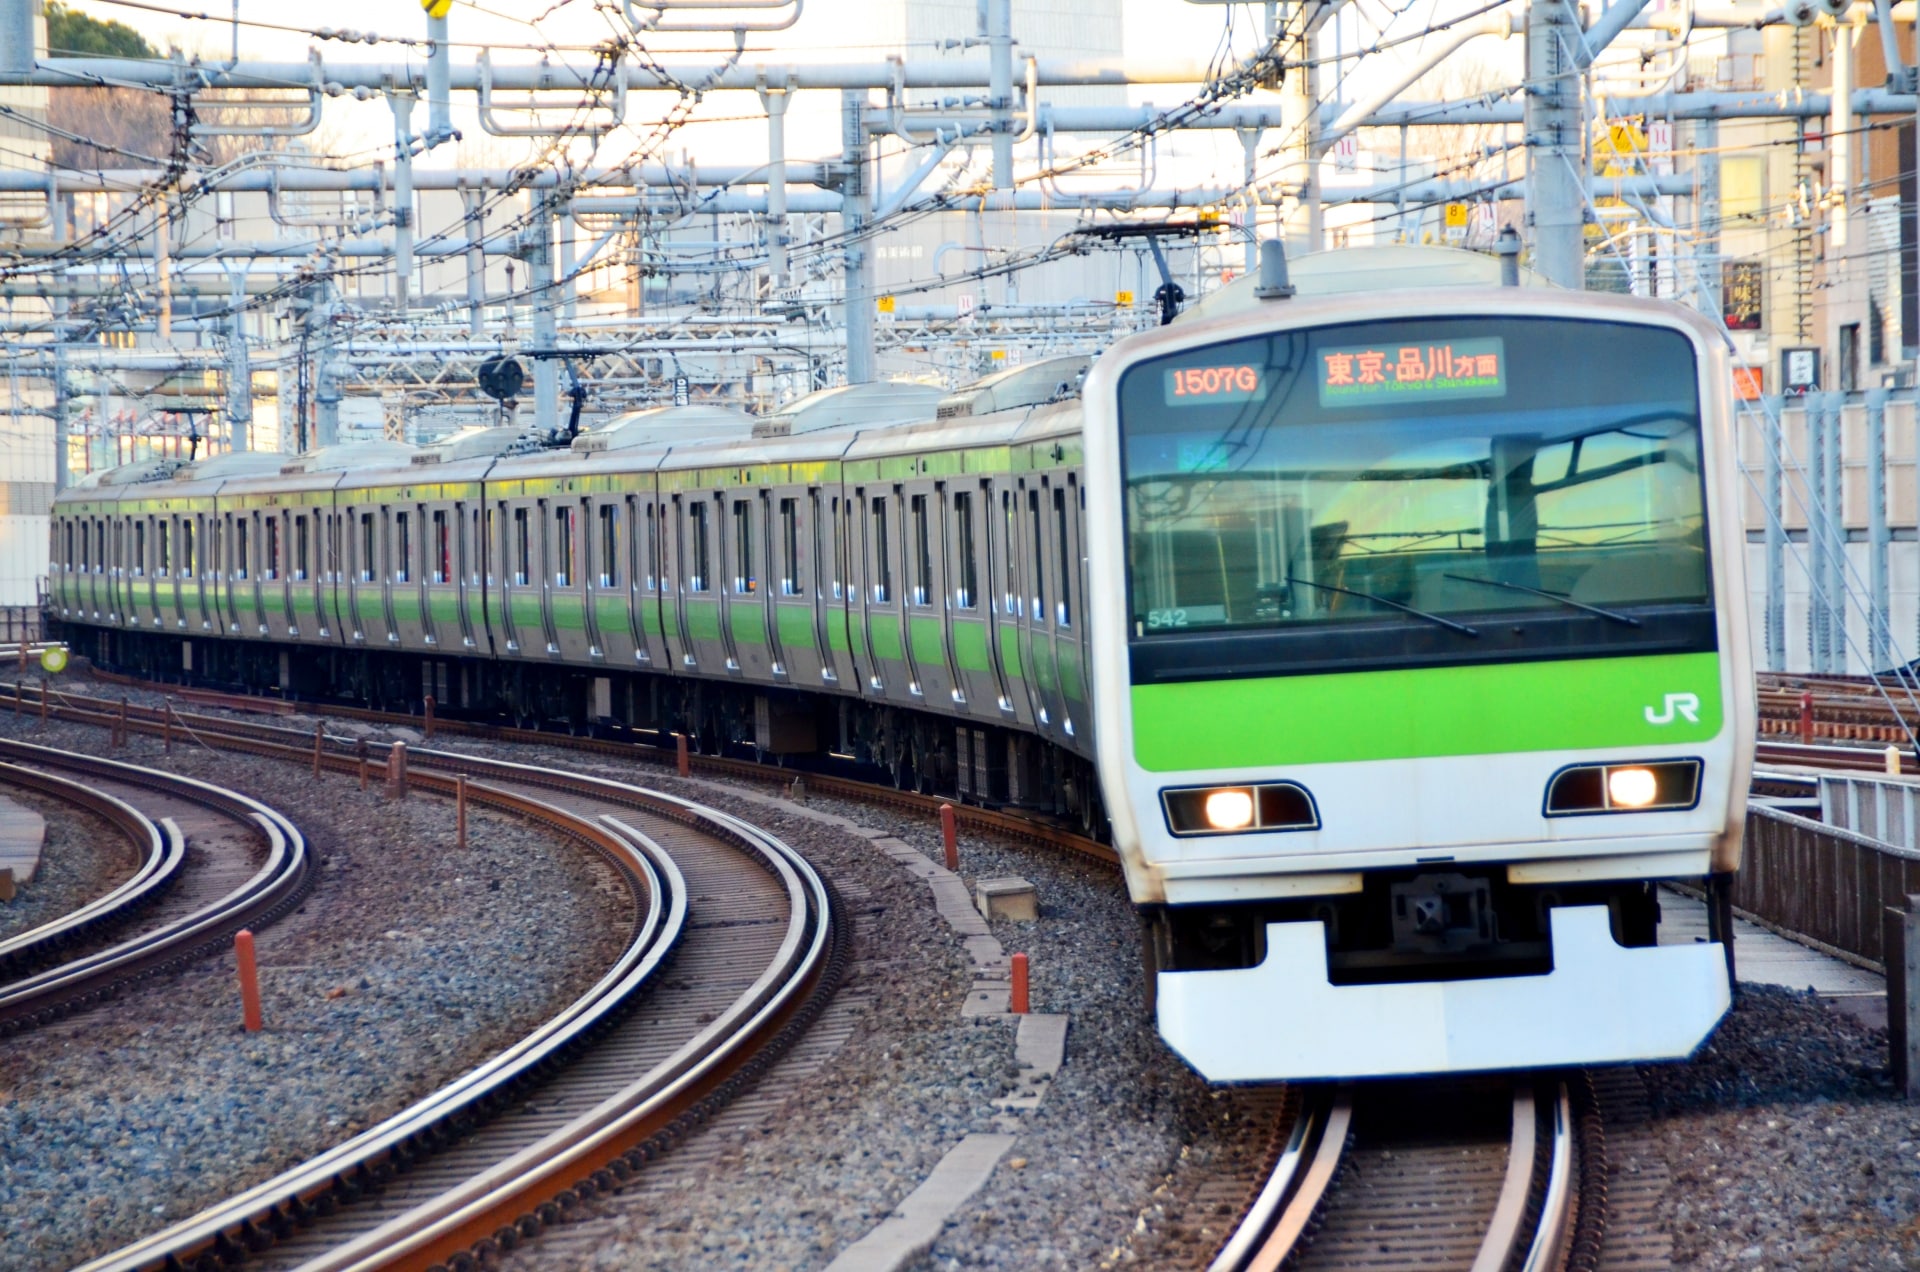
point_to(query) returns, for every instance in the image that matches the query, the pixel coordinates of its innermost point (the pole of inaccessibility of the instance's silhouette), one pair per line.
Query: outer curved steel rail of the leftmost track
(268, 894)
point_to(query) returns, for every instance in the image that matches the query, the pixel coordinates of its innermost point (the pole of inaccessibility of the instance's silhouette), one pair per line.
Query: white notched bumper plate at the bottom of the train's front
(1600, 1004)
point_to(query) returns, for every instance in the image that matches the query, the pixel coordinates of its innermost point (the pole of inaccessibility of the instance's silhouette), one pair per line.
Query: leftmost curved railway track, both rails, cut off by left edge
(212, 862)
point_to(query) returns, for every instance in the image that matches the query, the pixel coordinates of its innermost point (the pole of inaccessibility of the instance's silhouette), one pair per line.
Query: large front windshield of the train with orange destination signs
(1404, 489)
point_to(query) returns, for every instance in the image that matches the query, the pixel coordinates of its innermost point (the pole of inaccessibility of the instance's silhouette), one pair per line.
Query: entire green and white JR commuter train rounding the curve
(1395, 633)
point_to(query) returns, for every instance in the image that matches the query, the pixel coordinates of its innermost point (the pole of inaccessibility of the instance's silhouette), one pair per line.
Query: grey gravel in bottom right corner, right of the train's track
(1788, 1146)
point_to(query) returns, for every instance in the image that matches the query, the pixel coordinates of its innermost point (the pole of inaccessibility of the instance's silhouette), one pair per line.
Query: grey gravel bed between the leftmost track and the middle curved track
(408, 966)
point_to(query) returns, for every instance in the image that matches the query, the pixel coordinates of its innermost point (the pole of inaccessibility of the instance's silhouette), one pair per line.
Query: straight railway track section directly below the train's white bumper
(1481, 1177)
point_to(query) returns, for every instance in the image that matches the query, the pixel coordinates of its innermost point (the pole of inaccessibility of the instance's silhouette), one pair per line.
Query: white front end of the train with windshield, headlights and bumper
(1420, 662)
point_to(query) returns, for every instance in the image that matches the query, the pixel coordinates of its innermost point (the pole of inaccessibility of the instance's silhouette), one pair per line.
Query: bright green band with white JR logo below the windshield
(1487, 710)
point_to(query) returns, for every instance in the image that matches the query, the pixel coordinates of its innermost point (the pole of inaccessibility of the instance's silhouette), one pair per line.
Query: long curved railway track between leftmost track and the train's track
(577, 1108)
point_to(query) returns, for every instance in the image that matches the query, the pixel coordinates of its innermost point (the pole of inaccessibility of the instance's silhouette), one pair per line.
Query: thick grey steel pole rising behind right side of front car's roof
(1556, 166)
